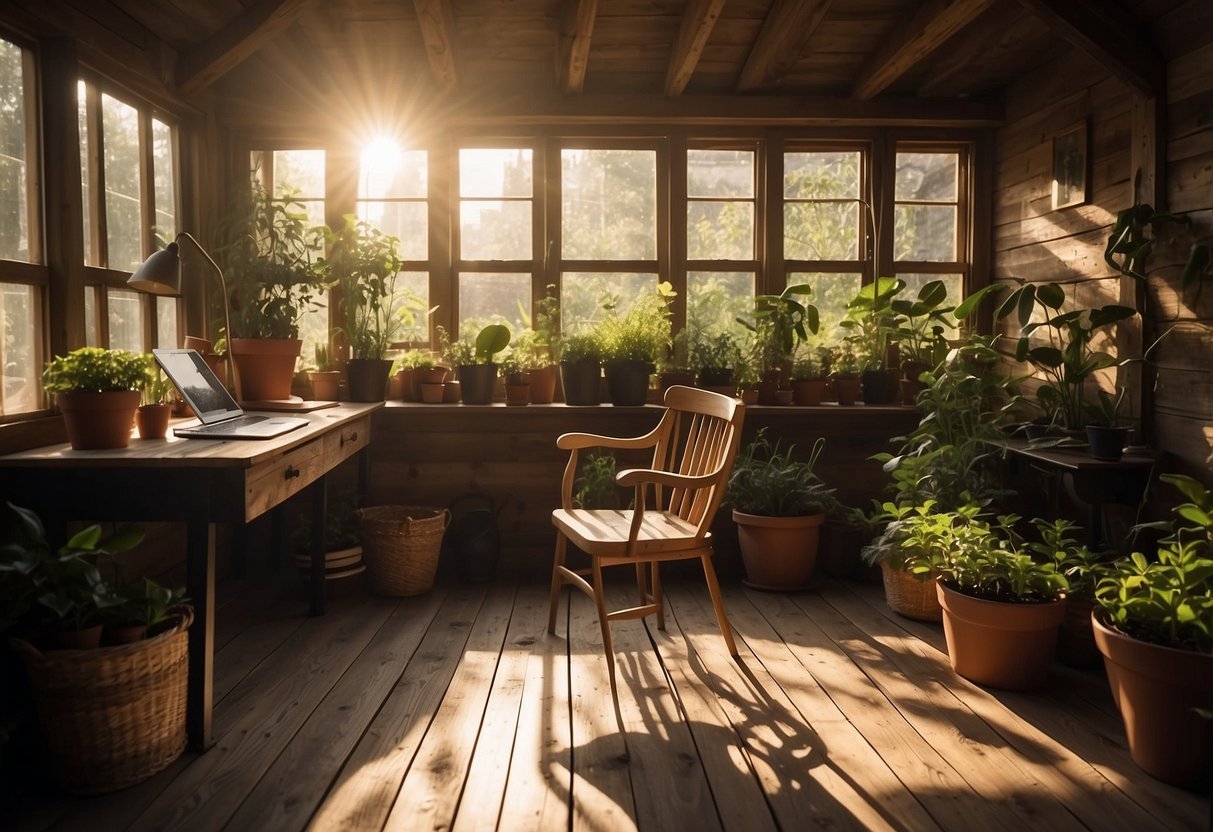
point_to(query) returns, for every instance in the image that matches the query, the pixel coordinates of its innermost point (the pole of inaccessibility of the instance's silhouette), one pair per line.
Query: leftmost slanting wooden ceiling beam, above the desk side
(242, 37)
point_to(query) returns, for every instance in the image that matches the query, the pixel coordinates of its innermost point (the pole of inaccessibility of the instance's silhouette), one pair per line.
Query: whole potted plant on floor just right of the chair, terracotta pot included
(779, 504)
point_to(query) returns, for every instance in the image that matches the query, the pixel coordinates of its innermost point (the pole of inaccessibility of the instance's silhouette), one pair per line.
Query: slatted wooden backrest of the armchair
(698, 436)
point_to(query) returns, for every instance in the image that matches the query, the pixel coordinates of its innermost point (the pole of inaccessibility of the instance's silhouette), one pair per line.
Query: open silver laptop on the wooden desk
(219, 414)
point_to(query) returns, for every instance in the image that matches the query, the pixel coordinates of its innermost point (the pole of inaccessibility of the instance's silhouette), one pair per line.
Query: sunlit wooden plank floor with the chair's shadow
(459, 711)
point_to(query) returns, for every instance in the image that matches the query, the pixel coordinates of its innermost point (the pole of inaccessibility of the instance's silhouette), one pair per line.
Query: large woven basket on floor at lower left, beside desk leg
(112, 717)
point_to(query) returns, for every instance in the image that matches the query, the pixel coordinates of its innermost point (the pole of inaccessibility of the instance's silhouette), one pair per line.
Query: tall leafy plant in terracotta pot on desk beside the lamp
(270, 259)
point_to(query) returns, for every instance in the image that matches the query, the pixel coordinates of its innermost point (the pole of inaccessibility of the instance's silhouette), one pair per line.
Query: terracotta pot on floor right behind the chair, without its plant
(779, 552)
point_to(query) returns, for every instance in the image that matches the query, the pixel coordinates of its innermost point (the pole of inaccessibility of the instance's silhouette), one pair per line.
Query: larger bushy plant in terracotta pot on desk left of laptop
(98, 391)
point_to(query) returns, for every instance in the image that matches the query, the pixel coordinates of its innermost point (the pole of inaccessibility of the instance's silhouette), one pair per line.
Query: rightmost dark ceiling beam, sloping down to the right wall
(1120, 47)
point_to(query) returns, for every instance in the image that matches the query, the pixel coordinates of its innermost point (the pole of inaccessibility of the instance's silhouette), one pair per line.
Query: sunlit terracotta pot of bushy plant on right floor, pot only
(1000, 645)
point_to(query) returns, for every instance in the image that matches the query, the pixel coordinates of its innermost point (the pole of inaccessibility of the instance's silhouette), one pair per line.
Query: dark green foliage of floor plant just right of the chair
(771, 482)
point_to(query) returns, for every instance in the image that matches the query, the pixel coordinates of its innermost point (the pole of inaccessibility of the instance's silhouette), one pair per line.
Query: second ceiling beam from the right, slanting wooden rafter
(927, 30)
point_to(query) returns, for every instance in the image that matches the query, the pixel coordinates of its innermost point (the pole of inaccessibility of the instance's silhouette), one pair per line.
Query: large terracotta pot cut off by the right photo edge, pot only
(1157, 689)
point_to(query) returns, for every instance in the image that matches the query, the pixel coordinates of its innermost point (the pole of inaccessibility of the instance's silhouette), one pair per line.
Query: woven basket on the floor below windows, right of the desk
(401, 548)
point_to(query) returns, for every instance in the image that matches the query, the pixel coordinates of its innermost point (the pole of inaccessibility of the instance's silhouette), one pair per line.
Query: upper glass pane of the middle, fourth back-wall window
(610, 202)
